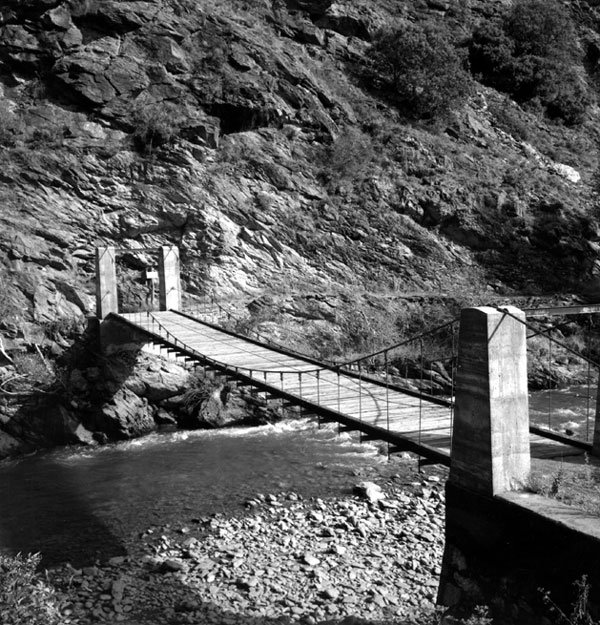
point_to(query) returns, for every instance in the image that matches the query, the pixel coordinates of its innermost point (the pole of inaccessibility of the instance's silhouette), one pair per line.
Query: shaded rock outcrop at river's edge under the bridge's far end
(129, 396)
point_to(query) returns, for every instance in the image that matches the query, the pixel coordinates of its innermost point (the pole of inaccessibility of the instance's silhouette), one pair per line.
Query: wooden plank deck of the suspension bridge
(407, 422)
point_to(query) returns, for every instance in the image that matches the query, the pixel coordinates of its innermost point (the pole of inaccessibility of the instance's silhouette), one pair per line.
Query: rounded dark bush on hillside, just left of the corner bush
(421, 68)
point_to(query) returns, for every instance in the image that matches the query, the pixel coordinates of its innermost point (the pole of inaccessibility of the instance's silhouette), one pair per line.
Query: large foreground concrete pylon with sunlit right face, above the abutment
(490, 442)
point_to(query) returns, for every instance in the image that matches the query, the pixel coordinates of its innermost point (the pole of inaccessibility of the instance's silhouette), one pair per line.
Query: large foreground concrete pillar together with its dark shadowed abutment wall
(502, 543)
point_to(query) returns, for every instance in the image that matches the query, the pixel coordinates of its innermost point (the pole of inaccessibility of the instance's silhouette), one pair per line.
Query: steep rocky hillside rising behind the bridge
(247, 134)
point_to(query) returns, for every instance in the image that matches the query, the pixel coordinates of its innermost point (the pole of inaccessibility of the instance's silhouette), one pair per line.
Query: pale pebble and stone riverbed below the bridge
(372, 556)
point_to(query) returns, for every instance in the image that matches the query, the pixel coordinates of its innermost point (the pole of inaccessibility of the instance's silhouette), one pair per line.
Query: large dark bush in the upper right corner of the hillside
(532, 55)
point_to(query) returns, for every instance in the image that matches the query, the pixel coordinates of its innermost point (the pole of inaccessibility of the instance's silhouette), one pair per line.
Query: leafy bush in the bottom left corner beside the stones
(24, 598)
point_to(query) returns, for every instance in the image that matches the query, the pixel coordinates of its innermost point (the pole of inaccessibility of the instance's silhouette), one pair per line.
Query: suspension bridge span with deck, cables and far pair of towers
(367, 395)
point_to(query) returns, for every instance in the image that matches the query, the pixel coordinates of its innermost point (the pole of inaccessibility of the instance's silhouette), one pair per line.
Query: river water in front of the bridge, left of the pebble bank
(80, 504)
